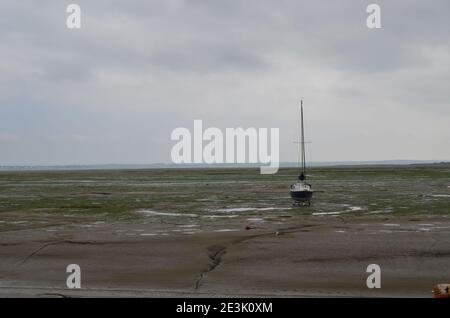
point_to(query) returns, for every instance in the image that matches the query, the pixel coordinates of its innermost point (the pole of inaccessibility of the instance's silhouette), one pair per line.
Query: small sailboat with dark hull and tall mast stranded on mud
(301, 191)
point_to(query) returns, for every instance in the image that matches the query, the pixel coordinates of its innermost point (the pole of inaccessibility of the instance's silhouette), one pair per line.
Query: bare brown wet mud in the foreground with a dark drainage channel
(320, 257)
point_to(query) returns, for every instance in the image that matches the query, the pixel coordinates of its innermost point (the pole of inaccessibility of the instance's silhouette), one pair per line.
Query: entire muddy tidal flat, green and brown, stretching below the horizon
(224, 233)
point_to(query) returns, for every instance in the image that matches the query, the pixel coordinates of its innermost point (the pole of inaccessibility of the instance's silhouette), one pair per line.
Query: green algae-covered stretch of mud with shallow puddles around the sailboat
(214, 198)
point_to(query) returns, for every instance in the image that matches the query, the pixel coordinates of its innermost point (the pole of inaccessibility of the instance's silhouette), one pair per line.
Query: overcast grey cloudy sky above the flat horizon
(113, 91)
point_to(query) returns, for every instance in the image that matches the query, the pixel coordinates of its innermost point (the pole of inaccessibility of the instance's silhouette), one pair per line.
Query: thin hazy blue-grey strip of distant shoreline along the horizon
(218, 166)
